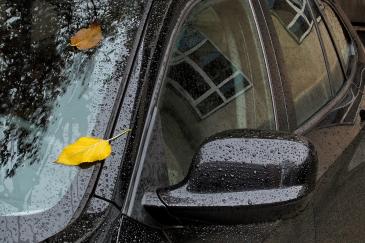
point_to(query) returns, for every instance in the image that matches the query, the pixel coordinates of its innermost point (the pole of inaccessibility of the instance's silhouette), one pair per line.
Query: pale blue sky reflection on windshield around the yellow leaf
(43, 183)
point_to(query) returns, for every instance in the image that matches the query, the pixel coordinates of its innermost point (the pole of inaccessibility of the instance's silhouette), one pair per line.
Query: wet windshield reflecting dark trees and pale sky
(51, 94)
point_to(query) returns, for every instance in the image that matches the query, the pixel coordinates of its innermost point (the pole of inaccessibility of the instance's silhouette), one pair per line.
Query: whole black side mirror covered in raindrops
(241, 176)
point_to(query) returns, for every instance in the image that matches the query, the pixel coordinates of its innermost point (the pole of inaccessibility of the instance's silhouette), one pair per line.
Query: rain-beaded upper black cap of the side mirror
(247, 159)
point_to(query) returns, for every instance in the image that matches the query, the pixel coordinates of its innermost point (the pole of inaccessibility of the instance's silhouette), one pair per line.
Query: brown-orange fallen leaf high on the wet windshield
(87, 38)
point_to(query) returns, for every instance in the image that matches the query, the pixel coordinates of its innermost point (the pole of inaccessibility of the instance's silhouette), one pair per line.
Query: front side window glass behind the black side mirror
(216, 81)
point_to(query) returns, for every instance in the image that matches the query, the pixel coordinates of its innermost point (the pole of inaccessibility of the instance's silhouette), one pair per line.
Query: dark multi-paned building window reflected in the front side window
(203, 75)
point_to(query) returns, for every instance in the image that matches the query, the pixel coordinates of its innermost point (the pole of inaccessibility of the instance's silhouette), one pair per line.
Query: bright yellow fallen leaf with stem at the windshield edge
(87, 150)
